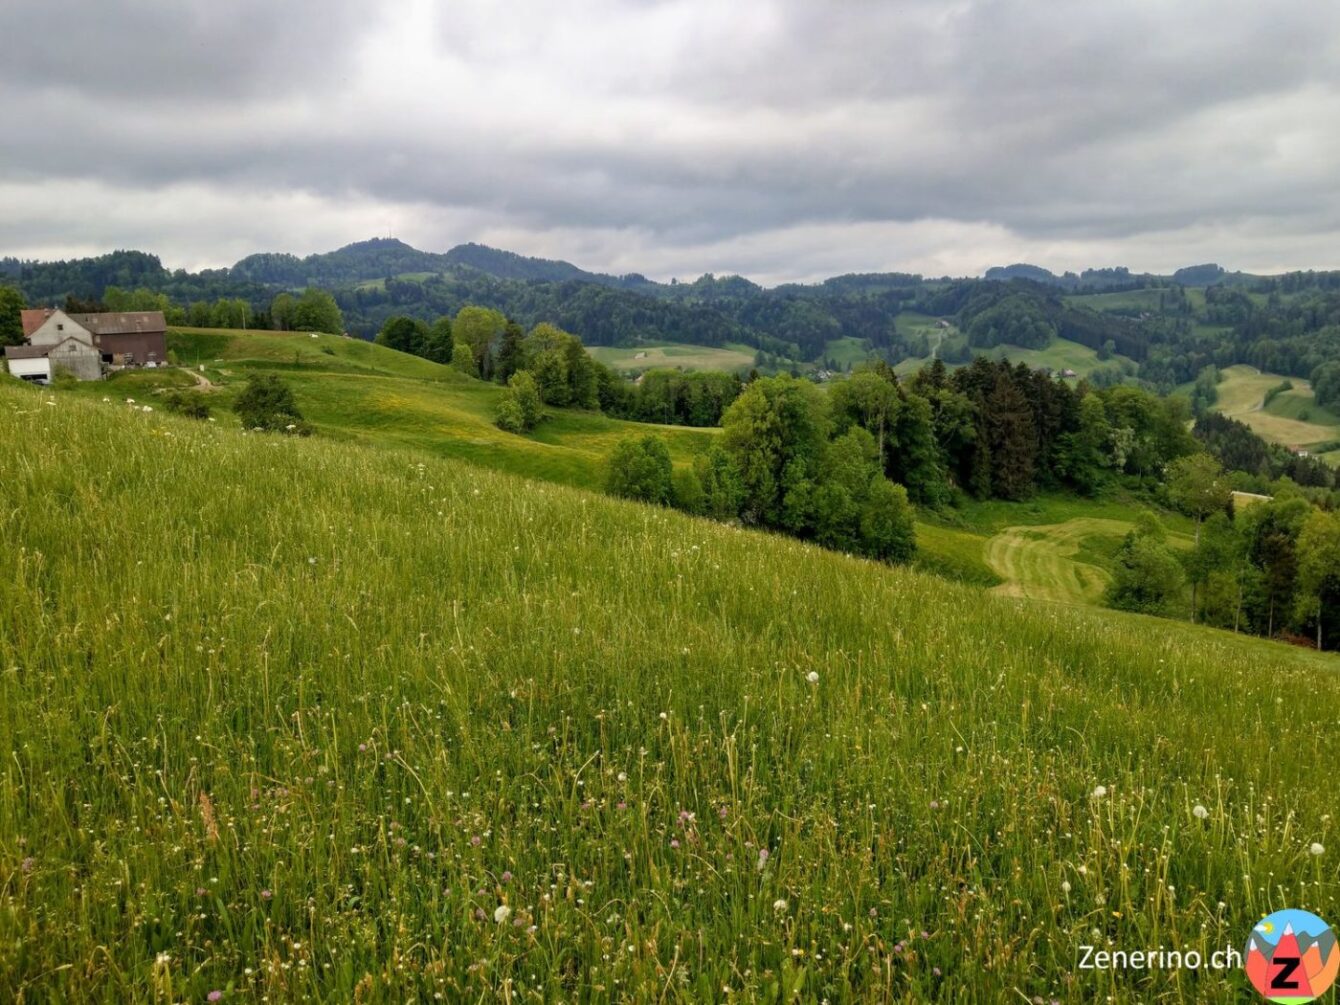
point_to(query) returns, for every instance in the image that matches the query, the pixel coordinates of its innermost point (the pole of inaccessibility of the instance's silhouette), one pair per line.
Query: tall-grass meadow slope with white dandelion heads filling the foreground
(301, 719)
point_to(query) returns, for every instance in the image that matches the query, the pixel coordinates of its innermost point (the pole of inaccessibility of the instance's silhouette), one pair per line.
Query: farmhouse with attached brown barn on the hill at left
(84, 344)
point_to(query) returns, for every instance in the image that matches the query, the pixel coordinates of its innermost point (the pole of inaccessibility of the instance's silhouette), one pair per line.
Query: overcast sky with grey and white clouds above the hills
(777, 139)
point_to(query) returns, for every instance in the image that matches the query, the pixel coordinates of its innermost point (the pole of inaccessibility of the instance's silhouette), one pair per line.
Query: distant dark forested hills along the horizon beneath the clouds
(1164, 330)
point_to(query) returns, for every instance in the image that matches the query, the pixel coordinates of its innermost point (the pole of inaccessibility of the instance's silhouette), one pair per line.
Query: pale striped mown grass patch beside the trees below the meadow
(1039, 562)
